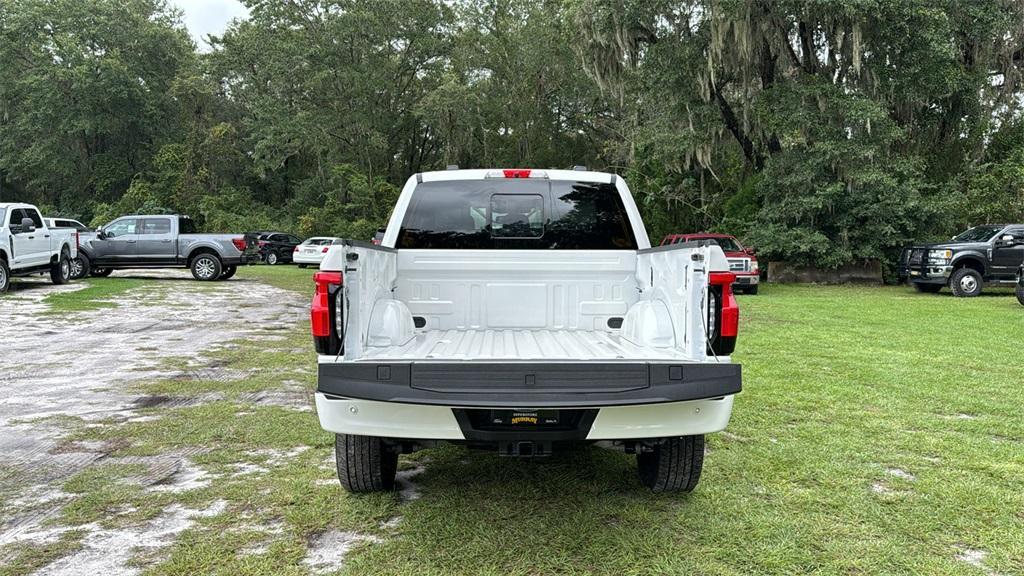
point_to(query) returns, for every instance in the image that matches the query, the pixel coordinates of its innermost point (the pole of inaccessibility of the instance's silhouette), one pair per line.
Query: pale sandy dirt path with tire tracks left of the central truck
(79, 364)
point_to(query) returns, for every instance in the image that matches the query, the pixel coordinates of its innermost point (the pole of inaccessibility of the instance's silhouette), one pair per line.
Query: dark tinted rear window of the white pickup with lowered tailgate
(517, 215)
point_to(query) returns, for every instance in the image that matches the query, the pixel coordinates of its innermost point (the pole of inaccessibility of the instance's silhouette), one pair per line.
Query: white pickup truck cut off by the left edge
(28, 246)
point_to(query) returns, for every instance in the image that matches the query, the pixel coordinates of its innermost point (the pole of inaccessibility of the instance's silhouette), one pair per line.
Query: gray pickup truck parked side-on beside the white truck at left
(164, 241)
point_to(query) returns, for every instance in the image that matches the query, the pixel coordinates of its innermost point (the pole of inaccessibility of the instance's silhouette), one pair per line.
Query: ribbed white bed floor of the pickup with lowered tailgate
(490, 346)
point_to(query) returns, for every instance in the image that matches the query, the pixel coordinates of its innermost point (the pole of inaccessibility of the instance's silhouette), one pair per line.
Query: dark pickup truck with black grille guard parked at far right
(991, 254)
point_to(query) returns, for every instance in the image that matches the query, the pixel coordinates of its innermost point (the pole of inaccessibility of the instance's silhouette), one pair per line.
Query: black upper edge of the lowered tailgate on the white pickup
(529, 386)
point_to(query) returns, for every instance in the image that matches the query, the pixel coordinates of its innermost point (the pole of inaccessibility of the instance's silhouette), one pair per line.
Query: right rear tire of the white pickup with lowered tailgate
(674, 466)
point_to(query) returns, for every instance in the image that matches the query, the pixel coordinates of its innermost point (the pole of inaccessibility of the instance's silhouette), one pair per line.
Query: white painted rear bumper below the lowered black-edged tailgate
(418, 422)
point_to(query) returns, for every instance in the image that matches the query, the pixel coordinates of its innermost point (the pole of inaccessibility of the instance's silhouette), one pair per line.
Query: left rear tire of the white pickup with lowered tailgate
(365, 465)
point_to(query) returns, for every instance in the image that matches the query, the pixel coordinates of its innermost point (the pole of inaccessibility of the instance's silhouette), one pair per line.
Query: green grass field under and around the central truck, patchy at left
(880, 432)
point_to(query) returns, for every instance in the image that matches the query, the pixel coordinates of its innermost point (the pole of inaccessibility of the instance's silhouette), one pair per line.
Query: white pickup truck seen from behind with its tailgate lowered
(519, 311)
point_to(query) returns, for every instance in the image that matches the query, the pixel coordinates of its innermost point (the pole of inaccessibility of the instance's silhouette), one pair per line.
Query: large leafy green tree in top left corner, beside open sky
(86, 95)
